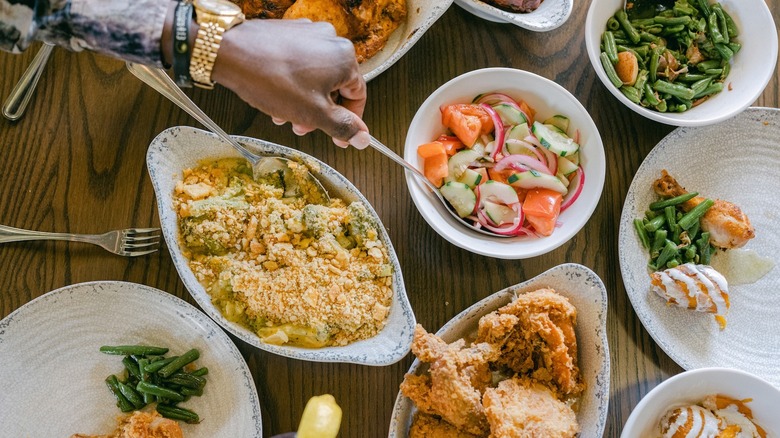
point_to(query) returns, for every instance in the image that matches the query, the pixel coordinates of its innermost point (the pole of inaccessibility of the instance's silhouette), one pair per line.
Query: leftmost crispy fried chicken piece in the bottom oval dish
(457, 377)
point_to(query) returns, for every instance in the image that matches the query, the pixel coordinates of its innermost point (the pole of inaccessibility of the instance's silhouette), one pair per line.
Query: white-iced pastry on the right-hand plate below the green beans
(697, 287)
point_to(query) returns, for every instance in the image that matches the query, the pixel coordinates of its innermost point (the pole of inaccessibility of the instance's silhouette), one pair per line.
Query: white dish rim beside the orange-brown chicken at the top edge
(421, 14)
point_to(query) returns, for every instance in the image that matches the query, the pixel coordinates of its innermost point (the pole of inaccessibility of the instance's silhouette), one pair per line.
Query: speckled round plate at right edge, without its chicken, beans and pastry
(737, 160)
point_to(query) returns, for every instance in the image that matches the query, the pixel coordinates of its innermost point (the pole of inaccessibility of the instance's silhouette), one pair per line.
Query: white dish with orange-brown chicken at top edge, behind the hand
(381, 30)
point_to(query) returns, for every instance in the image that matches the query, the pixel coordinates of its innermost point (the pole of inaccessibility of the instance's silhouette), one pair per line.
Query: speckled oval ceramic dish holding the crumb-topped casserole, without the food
(179, 148)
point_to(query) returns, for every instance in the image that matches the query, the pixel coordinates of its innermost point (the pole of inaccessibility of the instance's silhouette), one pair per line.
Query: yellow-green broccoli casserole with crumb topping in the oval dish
(294, 272)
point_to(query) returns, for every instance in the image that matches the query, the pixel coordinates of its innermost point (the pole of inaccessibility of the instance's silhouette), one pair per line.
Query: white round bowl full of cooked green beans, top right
(683, 62)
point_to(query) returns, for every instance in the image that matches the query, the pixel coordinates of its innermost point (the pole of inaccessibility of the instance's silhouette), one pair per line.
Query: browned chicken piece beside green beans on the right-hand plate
(728, 226)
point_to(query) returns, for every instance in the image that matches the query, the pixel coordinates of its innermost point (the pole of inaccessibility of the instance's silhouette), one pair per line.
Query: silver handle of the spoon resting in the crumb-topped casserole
(160, 81)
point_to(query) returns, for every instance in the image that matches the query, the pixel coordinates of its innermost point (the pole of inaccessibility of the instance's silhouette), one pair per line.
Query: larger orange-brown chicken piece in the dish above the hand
(367, 23)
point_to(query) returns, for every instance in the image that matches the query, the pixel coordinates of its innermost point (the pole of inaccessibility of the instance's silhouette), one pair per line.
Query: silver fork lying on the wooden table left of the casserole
(130, 242)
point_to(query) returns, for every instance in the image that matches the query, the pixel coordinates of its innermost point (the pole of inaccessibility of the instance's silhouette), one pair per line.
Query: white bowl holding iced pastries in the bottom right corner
(692, 386)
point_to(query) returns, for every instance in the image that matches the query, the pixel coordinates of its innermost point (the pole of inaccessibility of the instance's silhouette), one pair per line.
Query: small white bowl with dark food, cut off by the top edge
(550, 15)
